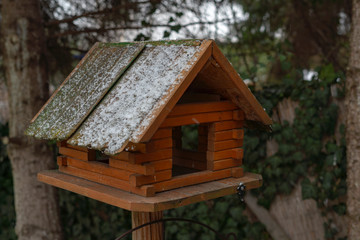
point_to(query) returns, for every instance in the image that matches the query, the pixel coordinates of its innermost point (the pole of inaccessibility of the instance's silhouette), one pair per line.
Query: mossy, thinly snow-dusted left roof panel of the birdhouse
(84, 88)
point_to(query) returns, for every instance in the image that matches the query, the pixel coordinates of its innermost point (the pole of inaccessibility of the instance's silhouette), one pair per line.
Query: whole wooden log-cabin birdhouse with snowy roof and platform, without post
(123, 117)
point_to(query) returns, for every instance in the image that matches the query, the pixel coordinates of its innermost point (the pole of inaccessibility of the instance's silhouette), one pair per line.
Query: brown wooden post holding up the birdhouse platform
(150, 232)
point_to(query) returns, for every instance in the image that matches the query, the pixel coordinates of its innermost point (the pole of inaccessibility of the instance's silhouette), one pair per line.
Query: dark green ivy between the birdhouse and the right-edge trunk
(307, 149)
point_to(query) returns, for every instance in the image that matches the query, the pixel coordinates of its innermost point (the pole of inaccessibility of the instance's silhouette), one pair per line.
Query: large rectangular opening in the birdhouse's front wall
(189, 153)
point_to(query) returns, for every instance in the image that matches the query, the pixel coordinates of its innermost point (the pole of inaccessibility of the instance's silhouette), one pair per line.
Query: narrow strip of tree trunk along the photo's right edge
(352, 99)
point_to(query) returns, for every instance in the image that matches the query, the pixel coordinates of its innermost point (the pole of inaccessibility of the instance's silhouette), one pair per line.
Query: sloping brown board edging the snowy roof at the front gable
(189, 75)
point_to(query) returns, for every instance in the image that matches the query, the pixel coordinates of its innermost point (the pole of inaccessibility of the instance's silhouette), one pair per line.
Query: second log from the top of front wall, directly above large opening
(197, 118)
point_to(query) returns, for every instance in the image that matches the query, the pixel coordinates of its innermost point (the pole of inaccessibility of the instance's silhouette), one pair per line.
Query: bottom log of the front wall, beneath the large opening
(191, 179)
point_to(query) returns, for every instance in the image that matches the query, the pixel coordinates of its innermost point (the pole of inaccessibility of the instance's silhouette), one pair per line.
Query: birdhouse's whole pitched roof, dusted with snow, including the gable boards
(119, 92)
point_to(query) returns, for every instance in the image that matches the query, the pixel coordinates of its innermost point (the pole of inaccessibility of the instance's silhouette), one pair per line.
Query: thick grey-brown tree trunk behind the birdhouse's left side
(23, 43)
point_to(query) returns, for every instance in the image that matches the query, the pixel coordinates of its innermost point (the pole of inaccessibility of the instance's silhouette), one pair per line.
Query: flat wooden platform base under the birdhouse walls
(162, 201)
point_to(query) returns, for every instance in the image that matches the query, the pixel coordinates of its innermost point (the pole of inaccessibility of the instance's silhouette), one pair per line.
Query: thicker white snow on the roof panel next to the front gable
(128, 109)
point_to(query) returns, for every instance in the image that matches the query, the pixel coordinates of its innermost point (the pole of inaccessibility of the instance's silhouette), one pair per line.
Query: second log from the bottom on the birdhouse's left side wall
(101, 168)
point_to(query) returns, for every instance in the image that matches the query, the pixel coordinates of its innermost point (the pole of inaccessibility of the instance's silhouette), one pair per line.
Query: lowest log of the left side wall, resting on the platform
(146, 191)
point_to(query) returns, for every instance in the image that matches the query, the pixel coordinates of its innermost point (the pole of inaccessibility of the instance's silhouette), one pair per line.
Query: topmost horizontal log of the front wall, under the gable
(205, 107)
